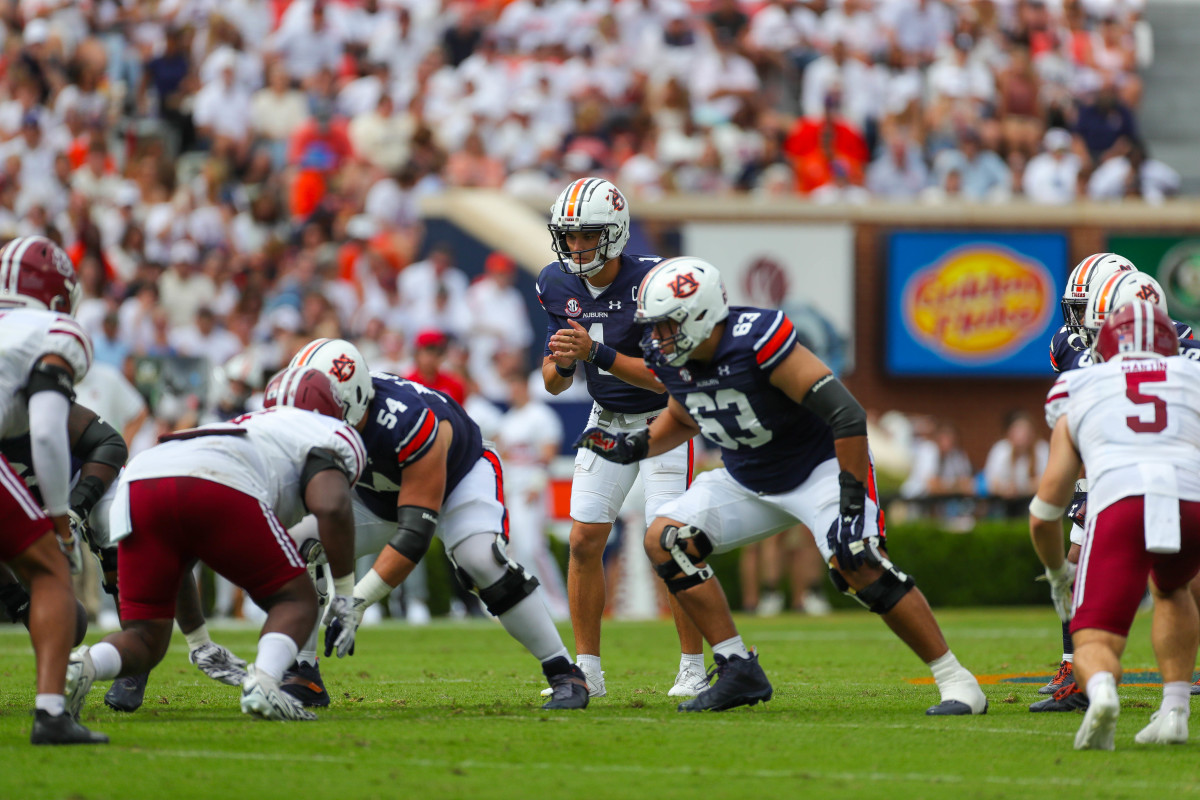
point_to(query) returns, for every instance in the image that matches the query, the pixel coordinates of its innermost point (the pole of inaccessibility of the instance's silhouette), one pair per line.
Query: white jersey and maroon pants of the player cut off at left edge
(27, 335)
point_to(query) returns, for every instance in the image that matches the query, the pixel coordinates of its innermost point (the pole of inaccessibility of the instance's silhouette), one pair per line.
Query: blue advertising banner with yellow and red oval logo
(973, 304)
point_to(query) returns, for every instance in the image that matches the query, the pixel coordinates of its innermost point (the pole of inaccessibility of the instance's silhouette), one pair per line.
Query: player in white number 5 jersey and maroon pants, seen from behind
(1133, 420)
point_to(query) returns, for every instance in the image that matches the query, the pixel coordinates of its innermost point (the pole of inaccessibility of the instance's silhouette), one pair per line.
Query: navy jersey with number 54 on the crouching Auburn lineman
(401, 428)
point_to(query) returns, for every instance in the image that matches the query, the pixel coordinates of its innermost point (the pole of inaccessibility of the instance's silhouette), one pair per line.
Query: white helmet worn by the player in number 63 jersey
(689, 292)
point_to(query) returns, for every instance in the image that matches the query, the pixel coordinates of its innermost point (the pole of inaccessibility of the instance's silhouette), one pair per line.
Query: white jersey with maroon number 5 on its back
(1137, 426)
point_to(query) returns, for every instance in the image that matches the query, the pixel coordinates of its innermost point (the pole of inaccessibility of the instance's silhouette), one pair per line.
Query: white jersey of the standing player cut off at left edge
(26, 336)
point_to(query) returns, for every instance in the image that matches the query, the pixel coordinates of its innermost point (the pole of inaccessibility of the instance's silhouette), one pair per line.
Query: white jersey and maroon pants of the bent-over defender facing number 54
(226, 498)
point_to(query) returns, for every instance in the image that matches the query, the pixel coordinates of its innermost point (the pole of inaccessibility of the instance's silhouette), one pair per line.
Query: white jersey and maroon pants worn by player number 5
(1137, 426)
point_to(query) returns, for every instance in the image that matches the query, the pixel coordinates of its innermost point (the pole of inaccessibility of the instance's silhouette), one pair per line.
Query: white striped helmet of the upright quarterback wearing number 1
(590, 204)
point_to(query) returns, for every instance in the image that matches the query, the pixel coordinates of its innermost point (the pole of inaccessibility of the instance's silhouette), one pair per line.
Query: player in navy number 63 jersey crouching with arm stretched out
(794, 442)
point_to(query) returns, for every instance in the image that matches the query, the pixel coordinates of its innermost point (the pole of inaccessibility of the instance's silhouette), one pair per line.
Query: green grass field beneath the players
(452, 712)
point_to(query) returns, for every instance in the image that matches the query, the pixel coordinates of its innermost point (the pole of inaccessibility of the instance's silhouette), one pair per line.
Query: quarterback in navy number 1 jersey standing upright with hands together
(590, 296)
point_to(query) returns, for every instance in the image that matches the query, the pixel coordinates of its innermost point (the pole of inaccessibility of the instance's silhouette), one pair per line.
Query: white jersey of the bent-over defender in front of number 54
(267, 462)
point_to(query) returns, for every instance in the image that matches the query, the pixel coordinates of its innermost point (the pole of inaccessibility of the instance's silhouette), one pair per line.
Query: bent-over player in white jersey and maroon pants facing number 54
(224, 495)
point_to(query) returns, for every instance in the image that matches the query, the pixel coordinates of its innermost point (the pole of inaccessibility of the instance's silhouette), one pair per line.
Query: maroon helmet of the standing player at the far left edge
(37, 274)
